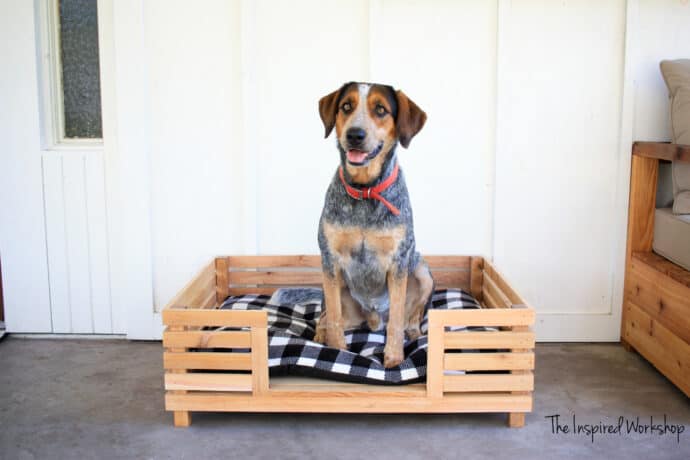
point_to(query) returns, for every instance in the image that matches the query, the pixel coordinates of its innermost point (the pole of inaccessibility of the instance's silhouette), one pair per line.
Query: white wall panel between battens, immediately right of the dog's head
(444, 58)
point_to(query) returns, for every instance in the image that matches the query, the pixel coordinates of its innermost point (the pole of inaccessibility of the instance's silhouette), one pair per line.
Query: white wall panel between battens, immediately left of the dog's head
(302, 50)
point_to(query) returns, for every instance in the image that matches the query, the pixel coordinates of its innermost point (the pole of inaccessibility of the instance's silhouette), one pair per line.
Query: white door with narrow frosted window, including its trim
(72, 261)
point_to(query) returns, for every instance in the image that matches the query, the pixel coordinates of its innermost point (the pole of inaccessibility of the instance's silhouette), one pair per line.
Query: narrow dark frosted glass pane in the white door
(80, 71)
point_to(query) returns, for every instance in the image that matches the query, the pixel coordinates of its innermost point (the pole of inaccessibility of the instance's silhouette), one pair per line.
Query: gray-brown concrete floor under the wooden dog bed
(64, 399)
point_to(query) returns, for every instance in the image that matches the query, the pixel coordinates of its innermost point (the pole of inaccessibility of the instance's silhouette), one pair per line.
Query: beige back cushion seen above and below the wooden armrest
(677, 77)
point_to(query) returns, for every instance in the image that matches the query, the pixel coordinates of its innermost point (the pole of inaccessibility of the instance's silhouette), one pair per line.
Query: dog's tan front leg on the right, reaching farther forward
(393, 353)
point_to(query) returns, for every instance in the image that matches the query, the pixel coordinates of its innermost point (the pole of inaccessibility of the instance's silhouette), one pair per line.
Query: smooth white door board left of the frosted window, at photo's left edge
(22, 226)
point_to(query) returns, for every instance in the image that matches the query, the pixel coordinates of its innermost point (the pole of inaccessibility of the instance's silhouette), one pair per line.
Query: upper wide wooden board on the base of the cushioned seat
(663, 298)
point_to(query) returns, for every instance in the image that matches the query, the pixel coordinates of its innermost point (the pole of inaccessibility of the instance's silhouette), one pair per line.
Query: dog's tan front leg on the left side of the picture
(330, 326)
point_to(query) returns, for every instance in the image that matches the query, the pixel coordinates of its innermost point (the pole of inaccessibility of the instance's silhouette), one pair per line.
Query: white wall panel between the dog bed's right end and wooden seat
(560, 85)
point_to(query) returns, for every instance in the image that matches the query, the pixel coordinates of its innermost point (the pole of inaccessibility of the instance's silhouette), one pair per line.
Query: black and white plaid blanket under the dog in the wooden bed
(292, 350)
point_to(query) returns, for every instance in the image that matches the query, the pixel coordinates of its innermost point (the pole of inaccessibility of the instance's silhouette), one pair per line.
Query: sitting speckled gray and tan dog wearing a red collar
(371, 269)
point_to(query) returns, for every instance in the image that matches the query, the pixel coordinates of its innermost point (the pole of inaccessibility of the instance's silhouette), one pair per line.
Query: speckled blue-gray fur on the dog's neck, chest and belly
(364, 276)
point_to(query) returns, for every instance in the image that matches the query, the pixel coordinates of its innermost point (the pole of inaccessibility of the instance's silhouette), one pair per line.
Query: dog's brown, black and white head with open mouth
(369, 119)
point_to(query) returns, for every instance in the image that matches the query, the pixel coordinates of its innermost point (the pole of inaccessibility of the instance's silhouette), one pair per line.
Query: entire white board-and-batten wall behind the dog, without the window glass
(213, 145)
